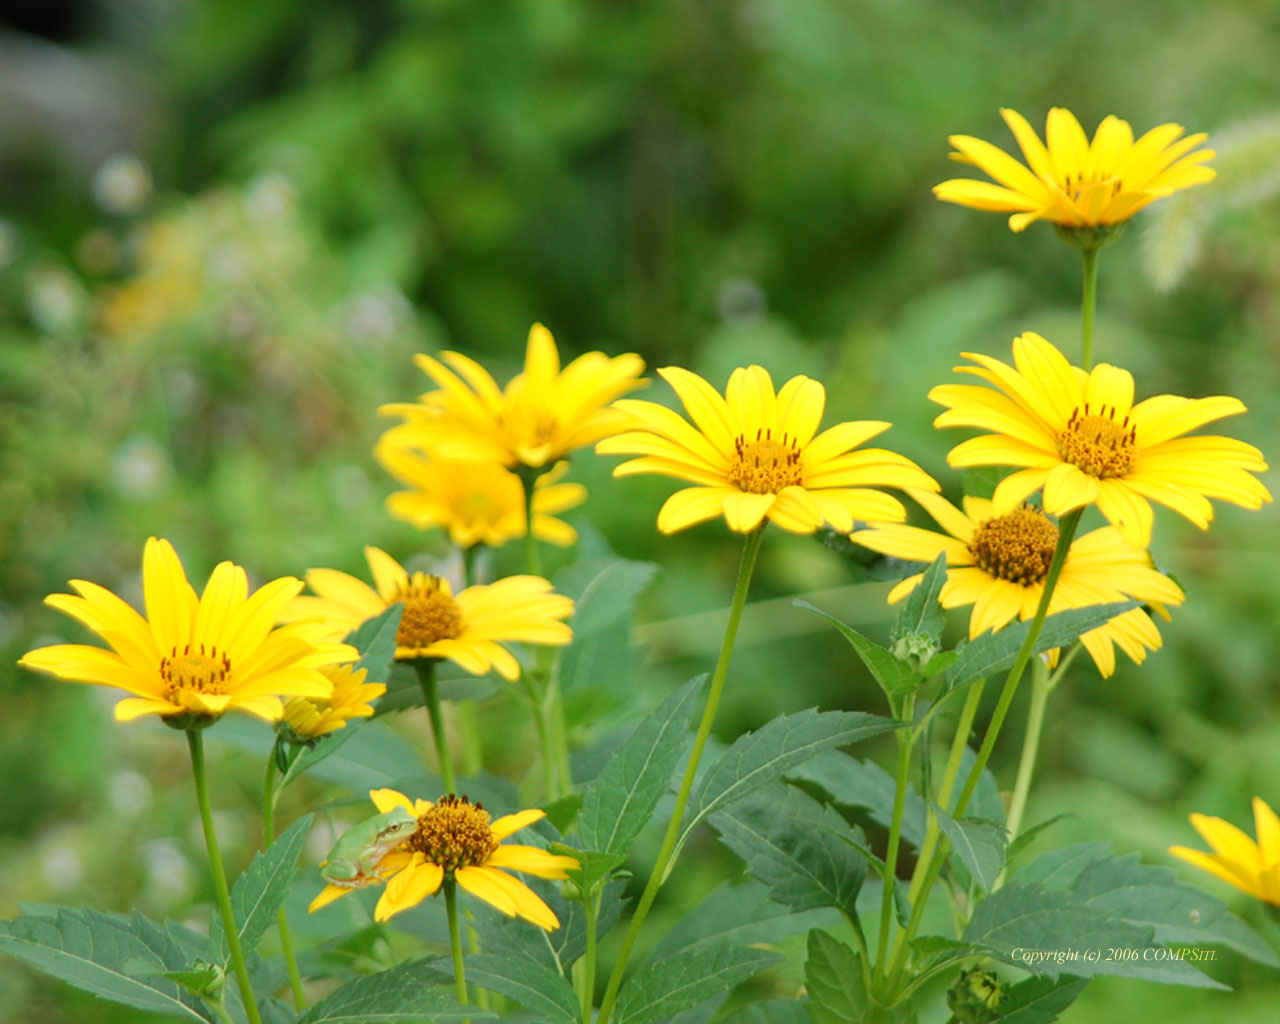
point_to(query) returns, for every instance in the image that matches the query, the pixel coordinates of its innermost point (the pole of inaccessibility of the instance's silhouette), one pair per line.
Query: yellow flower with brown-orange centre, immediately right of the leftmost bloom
(468, 628)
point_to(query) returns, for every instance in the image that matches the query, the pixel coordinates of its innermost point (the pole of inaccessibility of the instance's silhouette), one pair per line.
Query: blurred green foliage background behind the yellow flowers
(227, 227)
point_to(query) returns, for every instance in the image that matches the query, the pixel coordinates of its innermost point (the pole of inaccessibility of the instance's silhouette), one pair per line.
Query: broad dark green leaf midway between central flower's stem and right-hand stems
(806, 853)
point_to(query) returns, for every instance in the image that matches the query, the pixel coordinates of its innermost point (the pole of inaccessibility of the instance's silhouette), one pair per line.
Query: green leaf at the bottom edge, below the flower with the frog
(408, 993)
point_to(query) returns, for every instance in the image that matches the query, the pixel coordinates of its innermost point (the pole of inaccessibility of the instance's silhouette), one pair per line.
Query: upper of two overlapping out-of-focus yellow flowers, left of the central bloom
(542, 417)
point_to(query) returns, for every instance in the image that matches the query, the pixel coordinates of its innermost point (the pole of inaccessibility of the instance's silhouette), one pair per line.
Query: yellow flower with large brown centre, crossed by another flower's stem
(999, 563)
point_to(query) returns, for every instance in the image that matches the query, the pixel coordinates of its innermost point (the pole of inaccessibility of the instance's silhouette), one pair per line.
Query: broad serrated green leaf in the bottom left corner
(113, 957)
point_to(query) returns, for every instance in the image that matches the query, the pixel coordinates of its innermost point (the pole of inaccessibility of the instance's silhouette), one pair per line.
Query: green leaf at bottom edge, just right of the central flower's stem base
(666, 988)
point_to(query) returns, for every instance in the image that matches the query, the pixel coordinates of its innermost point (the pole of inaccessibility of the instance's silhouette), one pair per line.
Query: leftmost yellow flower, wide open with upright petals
(194, 656)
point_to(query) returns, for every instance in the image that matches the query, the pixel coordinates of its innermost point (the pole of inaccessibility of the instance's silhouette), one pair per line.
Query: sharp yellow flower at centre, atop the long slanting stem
(755, 456)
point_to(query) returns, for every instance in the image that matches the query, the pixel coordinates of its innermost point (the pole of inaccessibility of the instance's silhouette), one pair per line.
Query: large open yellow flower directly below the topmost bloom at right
(1082, 438)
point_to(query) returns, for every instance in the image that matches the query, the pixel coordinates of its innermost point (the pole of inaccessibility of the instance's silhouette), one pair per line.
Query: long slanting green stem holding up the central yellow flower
(751, 550)
